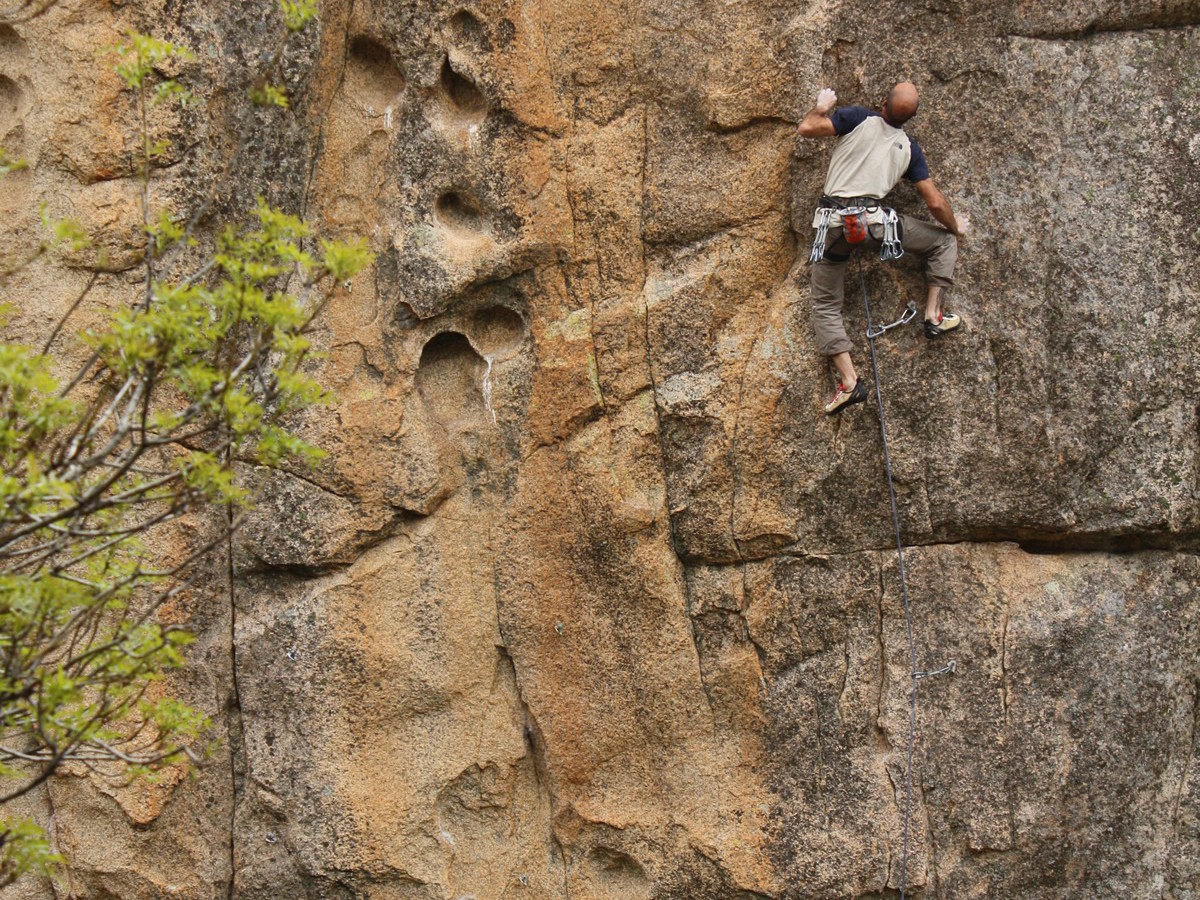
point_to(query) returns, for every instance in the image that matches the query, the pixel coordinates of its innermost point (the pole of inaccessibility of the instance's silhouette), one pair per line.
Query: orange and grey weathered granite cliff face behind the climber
(590, 599)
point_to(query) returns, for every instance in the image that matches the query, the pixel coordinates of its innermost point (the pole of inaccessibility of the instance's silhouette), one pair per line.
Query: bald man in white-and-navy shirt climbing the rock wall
(872, 155)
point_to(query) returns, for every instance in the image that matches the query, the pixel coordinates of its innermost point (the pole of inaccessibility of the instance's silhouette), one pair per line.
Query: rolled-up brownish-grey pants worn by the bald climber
(935, 248)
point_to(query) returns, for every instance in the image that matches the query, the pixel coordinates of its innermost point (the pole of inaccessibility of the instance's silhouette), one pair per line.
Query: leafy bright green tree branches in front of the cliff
(196, 375)
